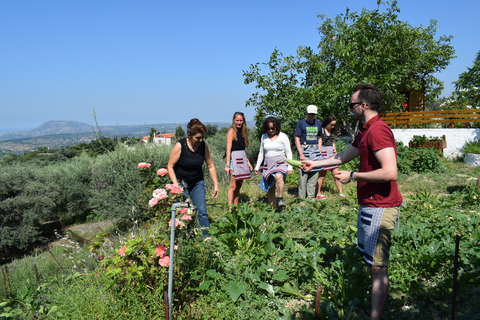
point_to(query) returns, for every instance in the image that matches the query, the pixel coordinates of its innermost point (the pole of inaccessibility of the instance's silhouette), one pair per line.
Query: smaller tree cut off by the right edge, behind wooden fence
(467, 86)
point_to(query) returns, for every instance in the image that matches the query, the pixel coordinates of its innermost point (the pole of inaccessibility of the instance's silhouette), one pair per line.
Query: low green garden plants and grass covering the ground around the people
(312, 242)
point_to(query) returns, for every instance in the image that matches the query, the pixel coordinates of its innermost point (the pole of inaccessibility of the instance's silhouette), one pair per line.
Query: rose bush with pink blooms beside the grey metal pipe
(143, 262)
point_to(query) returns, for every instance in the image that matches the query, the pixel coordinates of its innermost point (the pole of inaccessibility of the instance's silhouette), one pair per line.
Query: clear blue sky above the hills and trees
(147, 61)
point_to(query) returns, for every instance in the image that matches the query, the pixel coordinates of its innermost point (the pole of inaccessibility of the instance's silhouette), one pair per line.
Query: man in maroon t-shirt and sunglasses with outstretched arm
(377, 188)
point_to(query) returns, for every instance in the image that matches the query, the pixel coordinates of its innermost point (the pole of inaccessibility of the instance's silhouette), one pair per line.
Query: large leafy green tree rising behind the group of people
(371, 46)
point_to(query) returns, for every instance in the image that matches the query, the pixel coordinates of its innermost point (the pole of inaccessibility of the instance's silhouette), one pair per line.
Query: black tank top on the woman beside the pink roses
(189, 167)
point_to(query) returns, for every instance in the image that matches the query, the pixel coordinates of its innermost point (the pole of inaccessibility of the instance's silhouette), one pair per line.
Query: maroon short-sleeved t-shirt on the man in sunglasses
(375, 135)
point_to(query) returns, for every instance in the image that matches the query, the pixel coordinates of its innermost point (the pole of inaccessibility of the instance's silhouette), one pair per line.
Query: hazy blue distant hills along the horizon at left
(57, 133)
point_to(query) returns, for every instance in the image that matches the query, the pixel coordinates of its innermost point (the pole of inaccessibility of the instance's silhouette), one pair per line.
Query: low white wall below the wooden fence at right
(456, 138)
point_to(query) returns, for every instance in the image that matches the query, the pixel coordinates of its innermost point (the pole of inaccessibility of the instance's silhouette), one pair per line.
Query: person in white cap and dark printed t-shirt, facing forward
(308, 140)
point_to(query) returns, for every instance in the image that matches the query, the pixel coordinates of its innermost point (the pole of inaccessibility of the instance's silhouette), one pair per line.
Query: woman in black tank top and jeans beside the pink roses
(185, 168)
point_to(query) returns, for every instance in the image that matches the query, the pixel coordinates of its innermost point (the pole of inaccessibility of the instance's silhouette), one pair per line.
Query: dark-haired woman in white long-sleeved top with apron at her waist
(274, 148)
